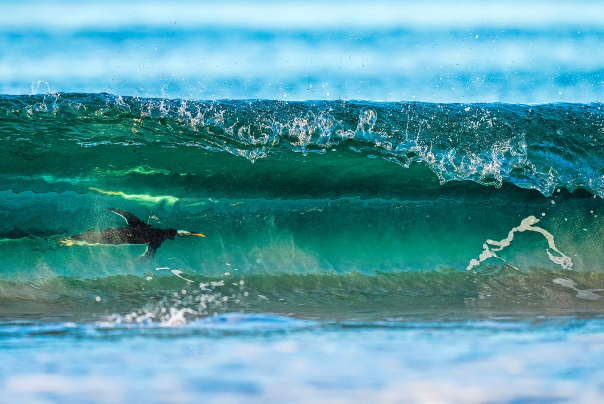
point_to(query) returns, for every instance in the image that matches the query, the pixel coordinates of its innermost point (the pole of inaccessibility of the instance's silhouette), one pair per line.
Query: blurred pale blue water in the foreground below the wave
(269, 359)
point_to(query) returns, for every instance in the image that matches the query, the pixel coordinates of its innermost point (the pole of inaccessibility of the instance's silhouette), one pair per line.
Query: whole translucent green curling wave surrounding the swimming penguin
(327, 205)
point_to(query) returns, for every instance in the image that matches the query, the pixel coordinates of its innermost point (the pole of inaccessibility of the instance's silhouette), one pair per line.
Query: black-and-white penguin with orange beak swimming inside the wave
(137, 232)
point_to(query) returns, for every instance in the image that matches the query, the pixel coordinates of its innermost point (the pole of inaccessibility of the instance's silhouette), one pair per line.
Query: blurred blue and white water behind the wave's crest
(514, 52)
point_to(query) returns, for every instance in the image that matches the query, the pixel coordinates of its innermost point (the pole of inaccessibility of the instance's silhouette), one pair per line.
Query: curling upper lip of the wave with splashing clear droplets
(540, 147)
